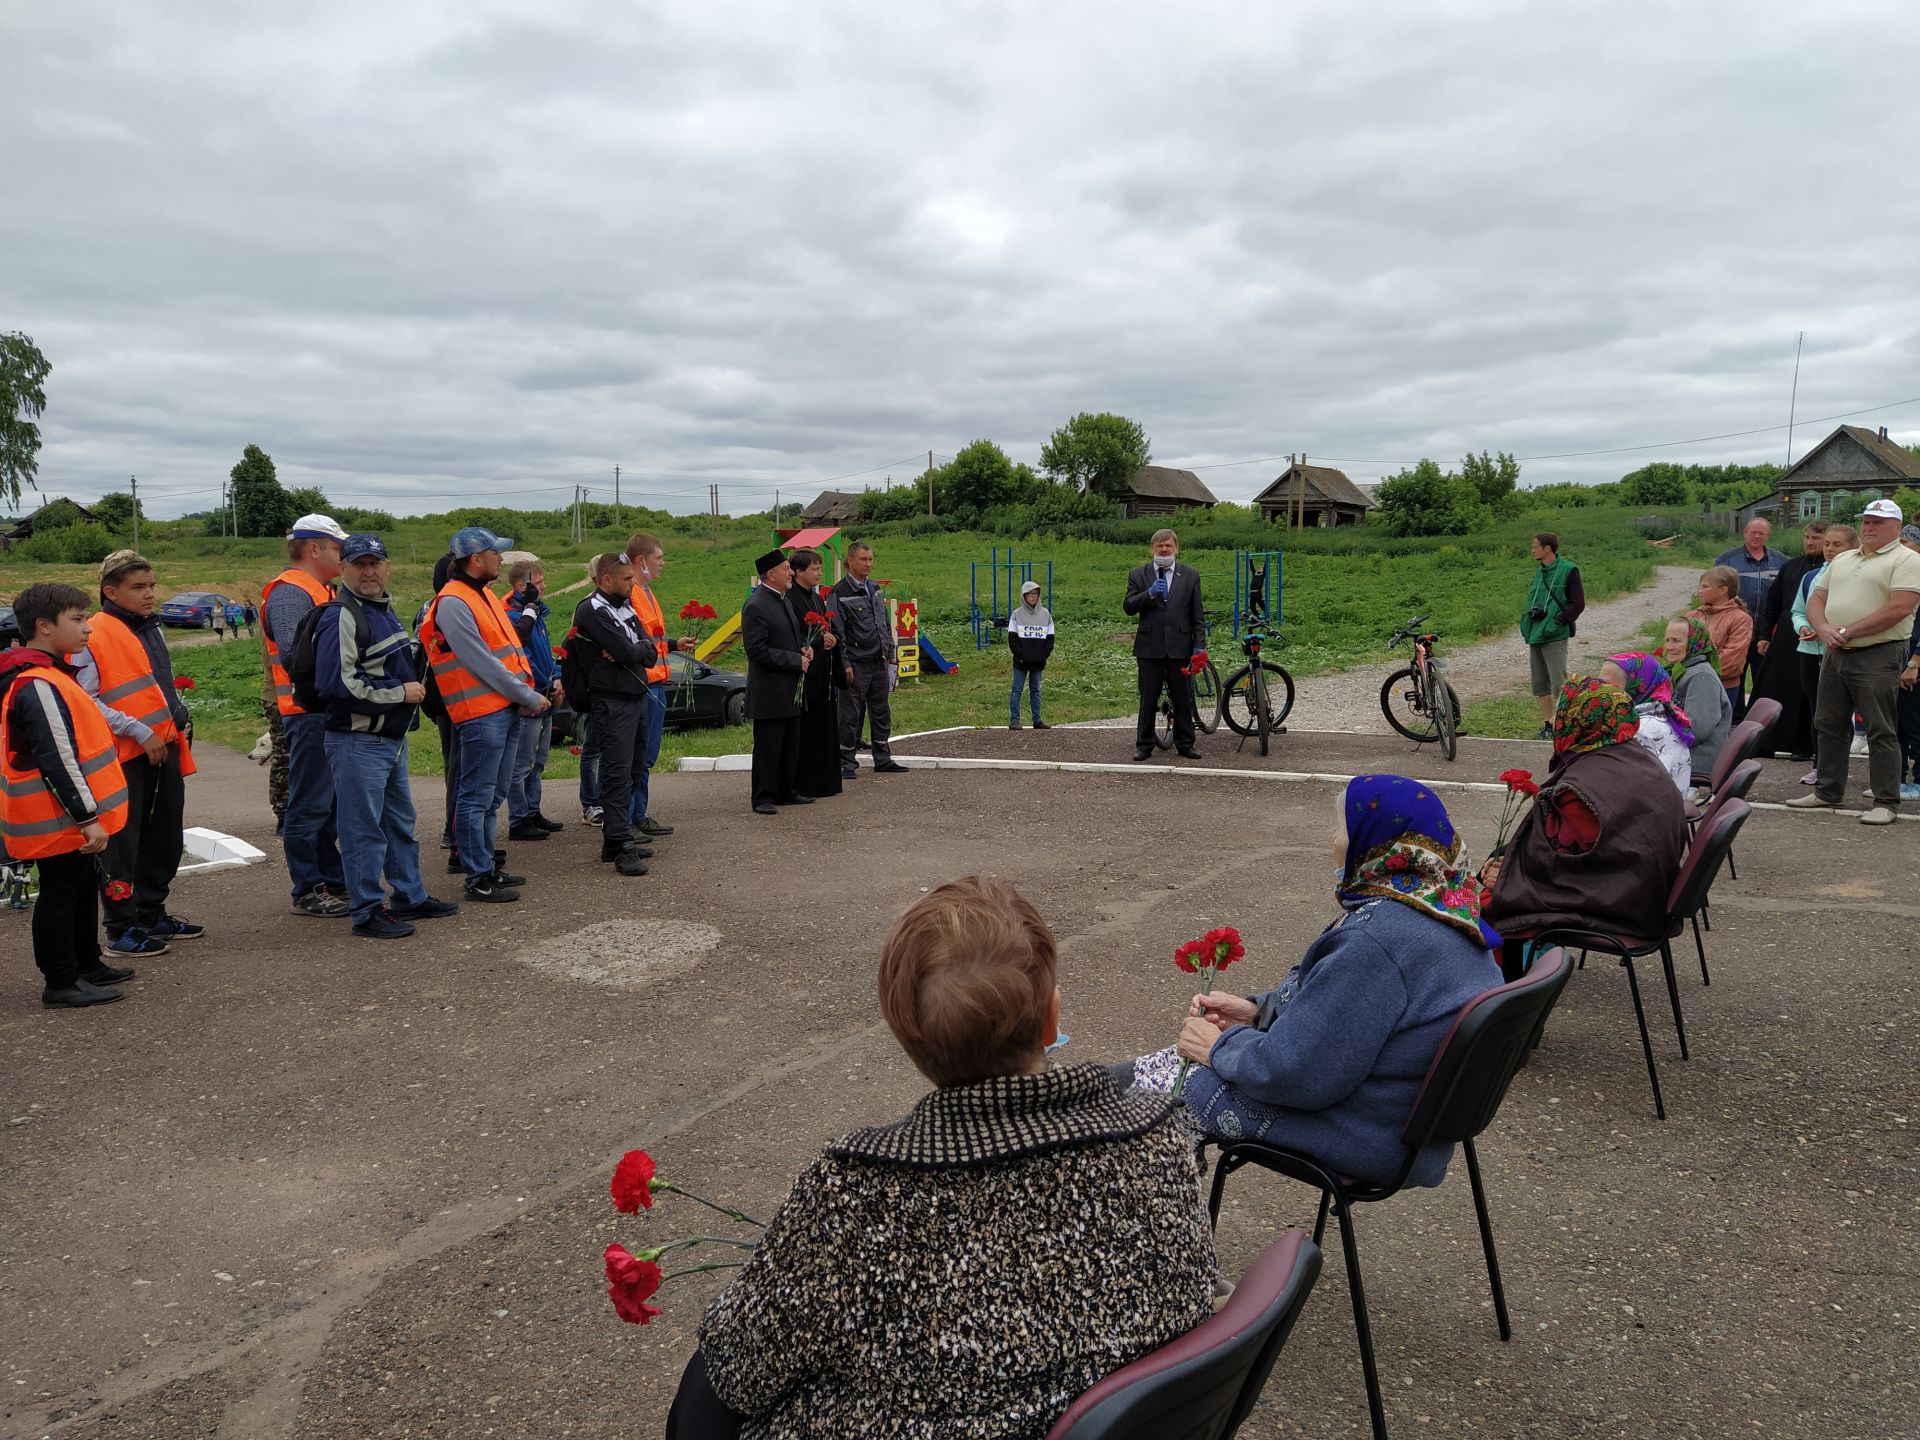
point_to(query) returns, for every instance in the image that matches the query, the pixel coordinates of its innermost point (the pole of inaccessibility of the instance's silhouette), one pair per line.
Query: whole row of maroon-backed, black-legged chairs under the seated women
(1205, 1385)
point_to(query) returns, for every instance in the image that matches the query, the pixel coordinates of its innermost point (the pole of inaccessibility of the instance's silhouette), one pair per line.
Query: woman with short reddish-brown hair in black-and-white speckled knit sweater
(972, 1268)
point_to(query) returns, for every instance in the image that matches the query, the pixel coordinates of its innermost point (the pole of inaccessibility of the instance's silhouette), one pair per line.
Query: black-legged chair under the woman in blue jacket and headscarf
(1460, 1097)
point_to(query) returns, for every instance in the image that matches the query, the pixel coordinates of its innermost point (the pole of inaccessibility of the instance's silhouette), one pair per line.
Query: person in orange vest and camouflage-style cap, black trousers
(128, 671)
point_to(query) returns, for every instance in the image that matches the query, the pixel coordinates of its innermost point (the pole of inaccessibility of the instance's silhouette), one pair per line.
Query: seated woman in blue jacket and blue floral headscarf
(1332, 1061)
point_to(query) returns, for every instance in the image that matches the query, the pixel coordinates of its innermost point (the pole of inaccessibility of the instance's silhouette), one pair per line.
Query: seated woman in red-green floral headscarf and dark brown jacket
(1602, 844)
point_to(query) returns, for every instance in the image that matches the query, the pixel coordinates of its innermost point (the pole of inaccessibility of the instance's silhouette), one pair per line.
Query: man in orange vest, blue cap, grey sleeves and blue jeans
(487, 684)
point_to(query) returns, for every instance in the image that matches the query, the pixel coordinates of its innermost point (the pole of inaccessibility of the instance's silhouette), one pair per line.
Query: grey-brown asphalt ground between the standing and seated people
(304, 1186)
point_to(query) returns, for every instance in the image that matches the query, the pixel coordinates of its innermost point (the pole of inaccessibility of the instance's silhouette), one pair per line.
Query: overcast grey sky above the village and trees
(491, 249)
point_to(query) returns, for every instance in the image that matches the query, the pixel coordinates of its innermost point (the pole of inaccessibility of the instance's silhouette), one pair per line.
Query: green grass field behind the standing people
(1345, 592)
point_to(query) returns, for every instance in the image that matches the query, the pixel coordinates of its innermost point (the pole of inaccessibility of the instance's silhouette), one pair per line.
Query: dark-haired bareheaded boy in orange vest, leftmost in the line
(62, 794)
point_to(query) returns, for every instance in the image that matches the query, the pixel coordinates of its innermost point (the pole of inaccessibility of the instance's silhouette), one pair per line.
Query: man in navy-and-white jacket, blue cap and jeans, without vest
(364, 671)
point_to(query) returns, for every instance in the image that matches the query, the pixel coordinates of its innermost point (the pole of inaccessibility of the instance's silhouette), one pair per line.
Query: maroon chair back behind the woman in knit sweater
(1203, 1385)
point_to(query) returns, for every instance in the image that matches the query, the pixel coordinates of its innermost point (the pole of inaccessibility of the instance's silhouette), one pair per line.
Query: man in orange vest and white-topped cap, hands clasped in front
(308, 832)
